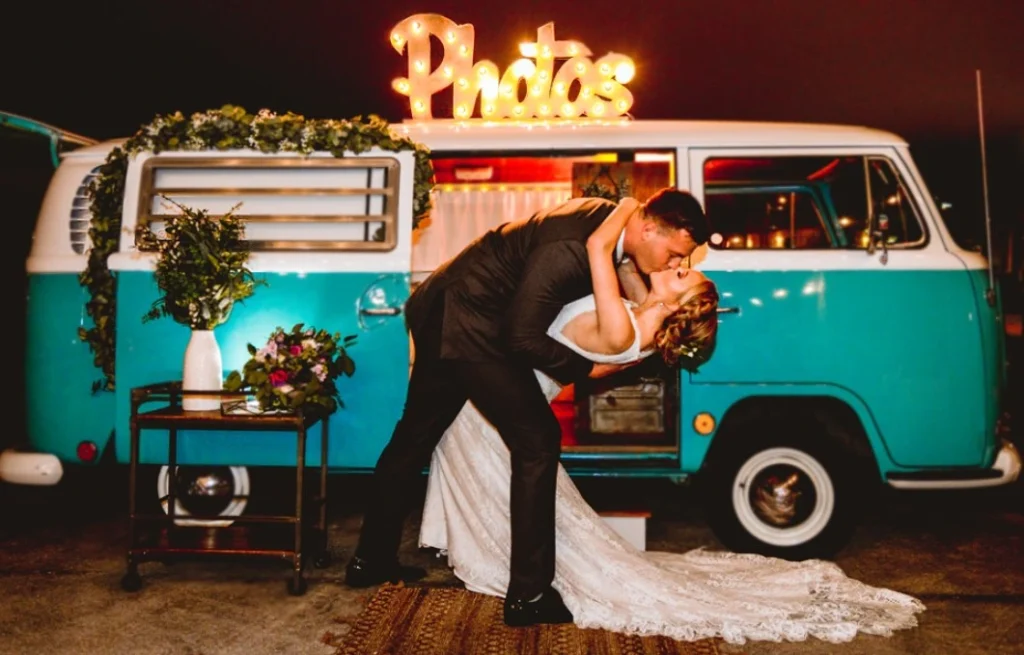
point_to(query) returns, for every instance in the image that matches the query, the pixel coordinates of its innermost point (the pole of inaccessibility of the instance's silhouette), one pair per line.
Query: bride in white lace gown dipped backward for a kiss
(606, 582)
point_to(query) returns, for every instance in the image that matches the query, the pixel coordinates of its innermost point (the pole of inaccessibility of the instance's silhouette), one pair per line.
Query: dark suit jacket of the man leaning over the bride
(500, 295)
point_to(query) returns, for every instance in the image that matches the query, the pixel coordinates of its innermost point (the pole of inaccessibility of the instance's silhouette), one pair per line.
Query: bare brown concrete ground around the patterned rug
(64, 555)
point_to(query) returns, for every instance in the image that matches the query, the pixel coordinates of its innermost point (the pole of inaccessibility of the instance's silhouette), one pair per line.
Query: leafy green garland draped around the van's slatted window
(225, 129)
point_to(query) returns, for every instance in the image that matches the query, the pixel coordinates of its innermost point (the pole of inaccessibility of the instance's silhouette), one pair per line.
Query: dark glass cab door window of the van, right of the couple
(808, 203)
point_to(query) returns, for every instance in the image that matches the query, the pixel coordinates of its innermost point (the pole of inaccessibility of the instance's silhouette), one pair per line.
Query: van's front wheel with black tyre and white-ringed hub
(794, 501)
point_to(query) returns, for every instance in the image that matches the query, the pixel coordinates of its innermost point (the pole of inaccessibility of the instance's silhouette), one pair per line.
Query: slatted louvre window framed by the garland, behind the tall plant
(287, 203)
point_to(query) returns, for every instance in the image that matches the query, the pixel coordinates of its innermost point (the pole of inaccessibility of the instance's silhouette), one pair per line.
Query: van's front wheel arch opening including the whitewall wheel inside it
(820, 444)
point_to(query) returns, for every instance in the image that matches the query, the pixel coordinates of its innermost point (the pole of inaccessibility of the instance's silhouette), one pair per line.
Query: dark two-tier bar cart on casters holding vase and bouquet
(167, 542)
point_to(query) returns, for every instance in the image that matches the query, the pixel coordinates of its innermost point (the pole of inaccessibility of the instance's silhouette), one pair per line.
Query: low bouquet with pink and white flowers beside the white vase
(294, 370)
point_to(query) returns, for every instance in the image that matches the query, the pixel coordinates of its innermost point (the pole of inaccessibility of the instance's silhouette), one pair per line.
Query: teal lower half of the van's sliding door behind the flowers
(373, 398)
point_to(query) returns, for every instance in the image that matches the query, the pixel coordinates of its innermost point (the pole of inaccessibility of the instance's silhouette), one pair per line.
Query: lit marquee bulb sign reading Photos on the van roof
(599, 88)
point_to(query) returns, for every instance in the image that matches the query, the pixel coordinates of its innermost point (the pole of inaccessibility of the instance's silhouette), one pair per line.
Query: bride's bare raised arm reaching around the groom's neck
(615, 330)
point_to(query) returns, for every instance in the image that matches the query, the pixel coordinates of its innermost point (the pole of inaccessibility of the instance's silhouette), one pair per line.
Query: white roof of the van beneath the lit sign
(496, 136)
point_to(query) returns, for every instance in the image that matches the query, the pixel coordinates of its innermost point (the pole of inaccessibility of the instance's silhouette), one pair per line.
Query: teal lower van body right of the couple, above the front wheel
(874, 333)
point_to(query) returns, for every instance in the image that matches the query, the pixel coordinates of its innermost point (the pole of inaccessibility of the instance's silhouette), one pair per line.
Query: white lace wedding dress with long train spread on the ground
(609, 584)
